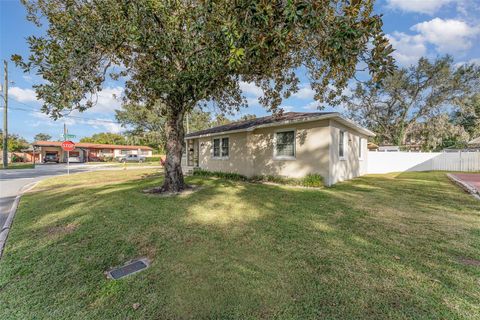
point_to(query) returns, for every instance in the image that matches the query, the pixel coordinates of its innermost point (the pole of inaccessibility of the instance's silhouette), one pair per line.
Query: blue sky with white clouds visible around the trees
(415, 28)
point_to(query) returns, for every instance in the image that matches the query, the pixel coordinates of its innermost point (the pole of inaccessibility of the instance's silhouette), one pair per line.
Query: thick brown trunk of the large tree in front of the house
(173, 165)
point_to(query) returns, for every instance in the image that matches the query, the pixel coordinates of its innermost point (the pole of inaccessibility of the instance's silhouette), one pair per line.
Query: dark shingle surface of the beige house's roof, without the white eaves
(249, 124)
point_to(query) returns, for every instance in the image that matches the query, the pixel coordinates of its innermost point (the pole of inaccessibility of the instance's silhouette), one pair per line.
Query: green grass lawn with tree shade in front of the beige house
(384, 246)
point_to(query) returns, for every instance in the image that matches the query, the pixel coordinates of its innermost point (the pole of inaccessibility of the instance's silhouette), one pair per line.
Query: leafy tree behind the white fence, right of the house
(413, 105)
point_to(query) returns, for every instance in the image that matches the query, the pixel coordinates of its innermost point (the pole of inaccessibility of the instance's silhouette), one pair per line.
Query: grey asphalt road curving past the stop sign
(13, 180)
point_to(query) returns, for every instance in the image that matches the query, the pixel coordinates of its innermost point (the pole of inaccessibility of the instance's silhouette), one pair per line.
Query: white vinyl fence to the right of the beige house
(384, 162)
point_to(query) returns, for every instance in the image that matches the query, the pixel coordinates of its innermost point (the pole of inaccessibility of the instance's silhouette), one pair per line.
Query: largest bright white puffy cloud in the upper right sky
(448, 35)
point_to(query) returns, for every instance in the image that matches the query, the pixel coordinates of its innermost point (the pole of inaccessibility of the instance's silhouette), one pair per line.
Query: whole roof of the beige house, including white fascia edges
(272, 120)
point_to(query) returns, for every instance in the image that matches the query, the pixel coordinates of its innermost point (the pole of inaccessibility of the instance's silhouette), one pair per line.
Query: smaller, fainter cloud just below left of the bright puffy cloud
(408, 49)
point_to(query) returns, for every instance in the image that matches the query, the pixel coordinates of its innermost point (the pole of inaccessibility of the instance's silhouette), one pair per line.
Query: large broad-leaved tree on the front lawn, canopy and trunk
(182, 53)
